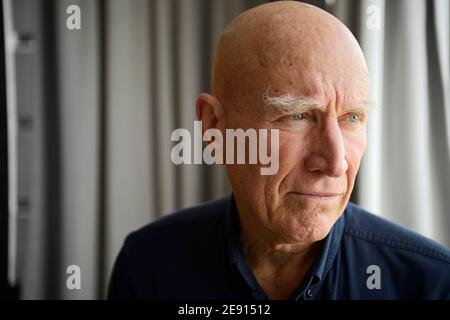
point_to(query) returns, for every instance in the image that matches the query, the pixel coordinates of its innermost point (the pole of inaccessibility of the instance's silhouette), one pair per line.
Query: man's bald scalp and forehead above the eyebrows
(284, 41)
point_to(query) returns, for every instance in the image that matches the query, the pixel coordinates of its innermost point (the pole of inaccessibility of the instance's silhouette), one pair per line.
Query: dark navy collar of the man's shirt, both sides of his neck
(321, 266)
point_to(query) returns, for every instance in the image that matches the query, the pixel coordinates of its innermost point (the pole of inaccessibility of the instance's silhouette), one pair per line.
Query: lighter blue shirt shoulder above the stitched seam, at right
(375, 231)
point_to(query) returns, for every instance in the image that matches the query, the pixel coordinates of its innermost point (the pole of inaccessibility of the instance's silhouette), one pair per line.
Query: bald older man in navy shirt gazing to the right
(293, 68)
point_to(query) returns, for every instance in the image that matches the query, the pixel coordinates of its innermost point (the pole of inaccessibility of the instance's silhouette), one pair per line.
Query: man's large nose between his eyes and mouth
(328, 155)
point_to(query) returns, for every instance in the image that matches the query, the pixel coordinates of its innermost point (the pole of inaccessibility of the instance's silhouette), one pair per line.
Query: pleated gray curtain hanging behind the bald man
(103, 100)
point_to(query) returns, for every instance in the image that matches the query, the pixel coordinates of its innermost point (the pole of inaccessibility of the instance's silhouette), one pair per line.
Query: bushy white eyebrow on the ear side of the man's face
(288, 103)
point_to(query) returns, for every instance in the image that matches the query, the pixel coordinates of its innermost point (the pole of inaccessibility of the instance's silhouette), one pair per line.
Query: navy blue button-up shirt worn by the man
(196, 253)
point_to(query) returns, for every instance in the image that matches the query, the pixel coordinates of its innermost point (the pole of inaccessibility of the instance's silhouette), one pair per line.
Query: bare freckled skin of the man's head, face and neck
(300, 50)
